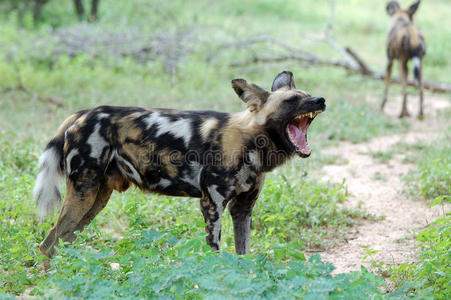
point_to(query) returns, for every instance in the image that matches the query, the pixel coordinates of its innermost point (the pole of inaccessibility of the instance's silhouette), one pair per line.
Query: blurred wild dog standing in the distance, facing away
(404, 42)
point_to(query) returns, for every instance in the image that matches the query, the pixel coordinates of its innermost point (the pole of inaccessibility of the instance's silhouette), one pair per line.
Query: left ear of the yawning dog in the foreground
(251, 94)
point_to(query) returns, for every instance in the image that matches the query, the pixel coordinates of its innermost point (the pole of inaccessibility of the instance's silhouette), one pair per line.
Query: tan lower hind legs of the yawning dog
(75, 206)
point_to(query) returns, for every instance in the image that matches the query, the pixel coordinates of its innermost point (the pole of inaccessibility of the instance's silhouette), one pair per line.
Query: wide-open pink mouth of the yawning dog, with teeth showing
(297, 132)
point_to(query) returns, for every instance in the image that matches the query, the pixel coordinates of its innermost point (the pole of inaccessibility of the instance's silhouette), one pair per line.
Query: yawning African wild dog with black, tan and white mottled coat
(218, 157)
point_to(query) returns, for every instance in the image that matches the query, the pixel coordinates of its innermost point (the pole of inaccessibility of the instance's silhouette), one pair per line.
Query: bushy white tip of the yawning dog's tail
(46, 190)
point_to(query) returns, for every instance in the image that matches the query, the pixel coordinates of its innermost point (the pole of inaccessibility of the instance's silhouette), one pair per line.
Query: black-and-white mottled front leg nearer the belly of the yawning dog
(212, 205)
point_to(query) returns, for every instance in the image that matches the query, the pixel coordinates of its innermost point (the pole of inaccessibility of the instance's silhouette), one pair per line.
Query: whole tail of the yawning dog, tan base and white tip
(51, 164)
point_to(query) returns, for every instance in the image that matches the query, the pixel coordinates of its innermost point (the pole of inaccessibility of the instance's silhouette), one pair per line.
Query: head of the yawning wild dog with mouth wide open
(285, 112)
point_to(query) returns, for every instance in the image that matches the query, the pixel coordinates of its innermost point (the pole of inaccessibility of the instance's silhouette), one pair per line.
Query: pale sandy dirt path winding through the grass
(377, 188)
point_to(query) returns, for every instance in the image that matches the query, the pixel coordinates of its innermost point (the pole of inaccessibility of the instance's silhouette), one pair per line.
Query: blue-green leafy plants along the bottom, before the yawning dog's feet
(153, 264)
